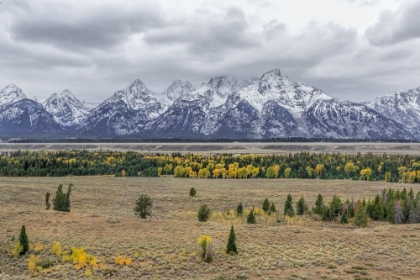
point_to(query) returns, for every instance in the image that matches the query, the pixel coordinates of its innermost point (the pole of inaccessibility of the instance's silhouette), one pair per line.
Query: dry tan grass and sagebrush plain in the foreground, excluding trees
(102, 221)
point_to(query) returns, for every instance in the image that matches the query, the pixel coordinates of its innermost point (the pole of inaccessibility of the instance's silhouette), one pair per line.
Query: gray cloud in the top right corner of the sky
(396, 27)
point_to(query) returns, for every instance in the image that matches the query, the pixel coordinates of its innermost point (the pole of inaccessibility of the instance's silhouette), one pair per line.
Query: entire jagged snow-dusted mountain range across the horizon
(270, 106)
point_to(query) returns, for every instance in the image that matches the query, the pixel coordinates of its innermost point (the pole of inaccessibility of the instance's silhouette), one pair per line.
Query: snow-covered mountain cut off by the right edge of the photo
(400, 106)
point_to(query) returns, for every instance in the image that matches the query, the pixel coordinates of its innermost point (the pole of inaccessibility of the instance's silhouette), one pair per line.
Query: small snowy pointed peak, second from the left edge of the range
(67, 110)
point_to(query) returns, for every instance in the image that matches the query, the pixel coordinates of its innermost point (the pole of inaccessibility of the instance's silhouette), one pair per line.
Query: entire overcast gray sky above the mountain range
(351, 49)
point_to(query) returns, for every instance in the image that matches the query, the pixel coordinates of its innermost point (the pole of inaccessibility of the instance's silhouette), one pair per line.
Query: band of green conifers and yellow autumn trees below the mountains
(304, 165)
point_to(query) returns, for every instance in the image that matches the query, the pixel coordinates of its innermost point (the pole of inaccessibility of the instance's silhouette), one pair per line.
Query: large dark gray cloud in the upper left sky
(73, 27)
